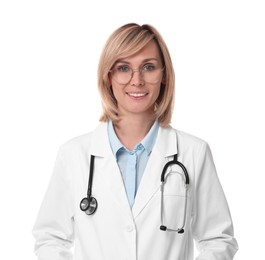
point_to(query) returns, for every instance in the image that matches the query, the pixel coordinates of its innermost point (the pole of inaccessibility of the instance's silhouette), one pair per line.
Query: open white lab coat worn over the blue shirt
(117, 232)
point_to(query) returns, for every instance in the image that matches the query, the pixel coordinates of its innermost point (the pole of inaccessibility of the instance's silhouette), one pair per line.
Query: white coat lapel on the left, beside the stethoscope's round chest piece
(107, 168)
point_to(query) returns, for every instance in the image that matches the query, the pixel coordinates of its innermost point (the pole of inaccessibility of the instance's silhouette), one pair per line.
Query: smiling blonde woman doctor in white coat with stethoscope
(126, 212)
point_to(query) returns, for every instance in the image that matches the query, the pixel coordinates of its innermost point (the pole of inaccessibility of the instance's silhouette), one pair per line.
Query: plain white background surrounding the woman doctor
(49, 53)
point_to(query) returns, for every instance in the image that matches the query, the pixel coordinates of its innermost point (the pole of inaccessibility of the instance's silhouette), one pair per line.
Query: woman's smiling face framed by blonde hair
(138, 95)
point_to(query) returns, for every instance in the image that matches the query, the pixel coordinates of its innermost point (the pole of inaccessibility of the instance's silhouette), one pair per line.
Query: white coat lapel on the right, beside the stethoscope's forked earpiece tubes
(164, 148)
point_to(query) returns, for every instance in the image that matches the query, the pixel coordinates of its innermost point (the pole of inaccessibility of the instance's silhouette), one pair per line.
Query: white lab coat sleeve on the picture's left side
(53, 230)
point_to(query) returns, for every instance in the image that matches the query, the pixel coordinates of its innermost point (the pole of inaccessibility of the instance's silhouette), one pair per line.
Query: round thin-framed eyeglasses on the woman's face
(150, 73)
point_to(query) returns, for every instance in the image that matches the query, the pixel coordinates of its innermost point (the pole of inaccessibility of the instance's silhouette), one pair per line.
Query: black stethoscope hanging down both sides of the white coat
(89, 204)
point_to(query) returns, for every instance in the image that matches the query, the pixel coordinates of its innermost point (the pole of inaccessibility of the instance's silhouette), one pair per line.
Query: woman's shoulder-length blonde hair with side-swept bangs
(124, 42)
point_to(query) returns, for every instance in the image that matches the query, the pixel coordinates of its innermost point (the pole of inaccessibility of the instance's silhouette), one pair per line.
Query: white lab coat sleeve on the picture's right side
(211, 223)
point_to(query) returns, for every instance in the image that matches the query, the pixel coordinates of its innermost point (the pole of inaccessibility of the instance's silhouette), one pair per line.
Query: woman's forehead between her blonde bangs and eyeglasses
(147, 53)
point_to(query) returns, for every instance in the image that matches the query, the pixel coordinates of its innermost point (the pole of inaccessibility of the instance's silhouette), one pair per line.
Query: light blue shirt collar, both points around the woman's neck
(148, 141)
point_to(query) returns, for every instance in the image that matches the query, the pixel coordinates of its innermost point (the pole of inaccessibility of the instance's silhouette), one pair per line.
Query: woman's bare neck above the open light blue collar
(131, 131)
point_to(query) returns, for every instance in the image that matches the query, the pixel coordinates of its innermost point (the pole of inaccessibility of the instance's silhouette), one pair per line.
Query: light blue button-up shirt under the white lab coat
(132, 163)
